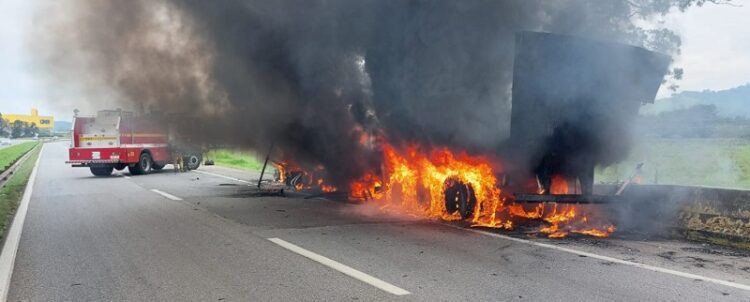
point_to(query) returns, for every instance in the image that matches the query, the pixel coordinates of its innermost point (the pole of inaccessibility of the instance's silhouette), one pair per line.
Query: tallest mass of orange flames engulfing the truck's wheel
(416, 181)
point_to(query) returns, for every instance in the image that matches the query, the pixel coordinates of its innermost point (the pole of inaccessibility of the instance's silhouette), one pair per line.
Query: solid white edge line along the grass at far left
(8, 256)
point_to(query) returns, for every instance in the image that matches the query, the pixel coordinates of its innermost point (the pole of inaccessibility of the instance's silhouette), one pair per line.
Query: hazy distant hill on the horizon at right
(734, 102)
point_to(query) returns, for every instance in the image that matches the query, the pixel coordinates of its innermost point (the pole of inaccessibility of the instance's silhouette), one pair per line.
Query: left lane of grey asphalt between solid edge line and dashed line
(100, 239)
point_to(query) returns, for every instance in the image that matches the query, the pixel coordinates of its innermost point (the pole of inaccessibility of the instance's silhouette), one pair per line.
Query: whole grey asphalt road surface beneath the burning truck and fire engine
(114, 238)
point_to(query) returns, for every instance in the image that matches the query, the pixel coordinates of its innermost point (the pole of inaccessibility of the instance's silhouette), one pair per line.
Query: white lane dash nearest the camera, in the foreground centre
(385, 286)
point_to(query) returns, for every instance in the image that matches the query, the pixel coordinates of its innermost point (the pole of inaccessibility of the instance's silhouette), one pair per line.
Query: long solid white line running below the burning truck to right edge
(610, 259)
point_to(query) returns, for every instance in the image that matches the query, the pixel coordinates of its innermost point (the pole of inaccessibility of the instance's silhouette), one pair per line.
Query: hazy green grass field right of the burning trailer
(701, 162)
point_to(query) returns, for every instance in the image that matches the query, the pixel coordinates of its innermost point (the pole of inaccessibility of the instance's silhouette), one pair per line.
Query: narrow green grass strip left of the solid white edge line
(12, 192)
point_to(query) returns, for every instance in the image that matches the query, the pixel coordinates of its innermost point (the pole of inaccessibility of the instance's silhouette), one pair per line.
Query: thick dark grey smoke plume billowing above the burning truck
(313, 75)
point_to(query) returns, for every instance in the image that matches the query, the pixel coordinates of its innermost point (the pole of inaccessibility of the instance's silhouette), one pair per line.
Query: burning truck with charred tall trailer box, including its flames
(573, 101)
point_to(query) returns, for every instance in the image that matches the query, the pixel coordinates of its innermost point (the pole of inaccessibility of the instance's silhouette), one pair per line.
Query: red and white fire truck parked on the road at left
(117, 139)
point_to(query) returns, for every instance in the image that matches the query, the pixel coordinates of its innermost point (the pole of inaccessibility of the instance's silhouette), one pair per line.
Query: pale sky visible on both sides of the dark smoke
(715, 53)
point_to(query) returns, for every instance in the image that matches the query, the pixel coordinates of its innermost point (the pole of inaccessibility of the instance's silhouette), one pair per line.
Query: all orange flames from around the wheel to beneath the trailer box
(417, 182)
